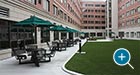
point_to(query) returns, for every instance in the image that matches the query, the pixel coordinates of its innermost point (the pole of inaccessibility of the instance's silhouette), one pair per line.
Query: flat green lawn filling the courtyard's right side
(99, 59)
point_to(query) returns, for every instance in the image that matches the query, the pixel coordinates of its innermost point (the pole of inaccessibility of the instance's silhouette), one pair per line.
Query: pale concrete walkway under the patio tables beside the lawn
(11, 67)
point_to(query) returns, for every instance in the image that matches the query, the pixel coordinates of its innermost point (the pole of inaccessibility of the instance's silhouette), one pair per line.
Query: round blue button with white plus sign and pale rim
(121, 56)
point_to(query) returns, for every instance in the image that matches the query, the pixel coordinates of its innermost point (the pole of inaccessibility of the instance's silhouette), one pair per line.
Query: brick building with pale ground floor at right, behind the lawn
(129, 19)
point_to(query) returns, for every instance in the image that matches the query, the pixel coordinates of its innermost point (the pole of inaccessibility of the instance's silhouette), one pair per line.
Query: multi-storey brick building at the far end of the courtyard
(93, 18)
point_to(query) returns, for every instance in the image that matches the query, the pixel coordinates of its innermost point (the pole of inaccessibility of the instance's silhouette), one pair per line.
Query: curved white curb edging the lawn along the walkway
(69, 71)
